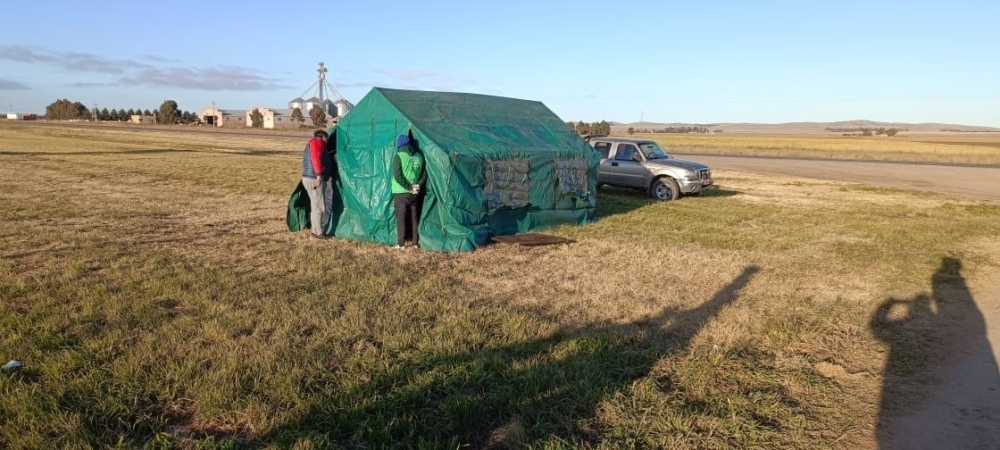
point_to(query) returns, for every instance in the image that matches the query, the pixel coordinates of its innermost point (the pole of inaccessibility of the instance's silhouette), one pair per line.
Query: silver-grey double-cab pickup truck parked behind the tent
(642, 164)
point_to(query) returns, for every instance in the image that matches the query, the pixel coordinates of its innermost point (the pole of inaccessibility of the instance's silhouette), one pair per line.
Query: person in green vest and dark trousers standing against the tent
(408, 178)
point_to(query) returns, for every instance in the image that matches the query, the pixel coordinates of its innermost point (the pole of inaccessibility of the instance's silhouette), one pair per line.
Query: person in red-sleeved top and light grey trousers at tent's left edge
(316, 171)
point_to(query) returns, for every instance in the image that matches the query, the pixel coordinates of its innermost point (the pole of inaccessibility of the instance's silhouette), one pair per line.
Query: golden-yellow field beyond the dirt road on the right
(971, 148)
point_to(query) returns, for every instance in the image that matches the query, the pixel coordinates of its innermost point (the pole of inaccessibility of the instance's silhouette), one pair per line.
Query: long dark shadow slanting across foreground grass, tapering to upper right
(511, 395)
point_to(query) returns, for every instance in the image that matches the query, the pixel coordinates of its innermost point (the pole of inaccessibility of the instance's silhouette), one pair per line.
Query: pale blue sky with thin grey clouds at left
(660, 61)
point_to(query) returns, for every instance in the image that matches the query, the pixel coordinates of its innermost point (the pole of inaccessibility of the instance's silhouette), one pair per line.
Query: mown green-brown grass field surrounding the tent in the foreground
(156, 299)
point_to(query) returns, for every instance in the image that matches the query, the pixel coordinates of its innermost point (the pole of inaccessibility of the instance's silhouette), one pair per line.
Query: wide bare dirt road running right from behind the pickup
(969, 181)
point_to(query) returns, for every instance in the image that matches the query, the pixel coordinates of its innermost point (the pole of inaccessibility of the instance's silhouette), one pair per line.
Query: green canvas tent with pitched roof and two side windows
(495, 166)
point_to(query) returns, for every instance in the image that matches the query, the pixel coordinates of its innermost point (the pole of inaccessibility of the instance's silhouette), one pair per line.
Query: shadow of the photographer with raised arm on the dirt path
(941, 386)
